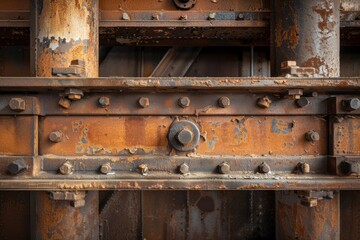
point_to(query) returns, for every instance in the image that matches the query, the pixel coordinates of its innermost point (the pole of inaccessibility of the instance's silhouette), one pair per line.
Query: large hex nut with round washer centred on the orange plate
(184, 135)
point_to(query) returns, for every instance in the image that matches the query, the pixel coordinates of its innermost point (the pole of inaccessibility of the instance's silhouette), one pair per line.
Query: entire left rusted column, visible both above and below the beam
(63, 31)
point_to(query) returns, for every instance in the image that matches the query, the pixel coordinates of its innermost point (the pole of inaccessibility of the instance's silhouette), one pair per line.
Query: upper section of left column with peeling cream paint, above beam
(65, 31)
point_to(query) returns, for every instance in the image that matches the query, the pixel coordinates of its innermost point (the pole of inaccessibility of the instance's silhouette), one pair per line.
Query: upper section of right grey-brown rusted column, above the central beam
(308, 32)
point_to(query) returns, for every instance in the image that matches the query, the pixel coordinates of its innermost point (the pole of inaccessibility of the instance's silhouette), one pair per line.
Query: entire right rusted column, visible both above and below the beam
(306, 31)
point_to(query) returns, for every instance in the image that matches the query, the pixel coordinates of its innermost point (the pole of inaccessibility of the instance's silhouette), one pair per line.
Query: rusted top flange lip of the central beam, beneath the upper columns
(259, 84)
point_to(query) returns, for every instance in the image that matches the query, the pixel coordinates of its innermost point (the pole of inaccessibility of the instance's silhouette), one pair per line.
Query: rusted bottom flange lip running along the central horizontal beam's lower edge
(247, 182)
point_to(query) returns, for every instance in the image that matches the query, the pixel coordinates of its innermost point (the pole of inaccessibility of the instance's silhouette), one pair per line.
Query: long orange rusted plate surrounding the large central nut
(237, 135)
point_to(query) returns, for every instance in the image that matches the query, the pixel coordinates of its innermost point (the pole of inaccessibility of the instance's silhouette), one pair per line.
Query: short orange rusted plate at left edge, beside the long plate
(18, 135)
